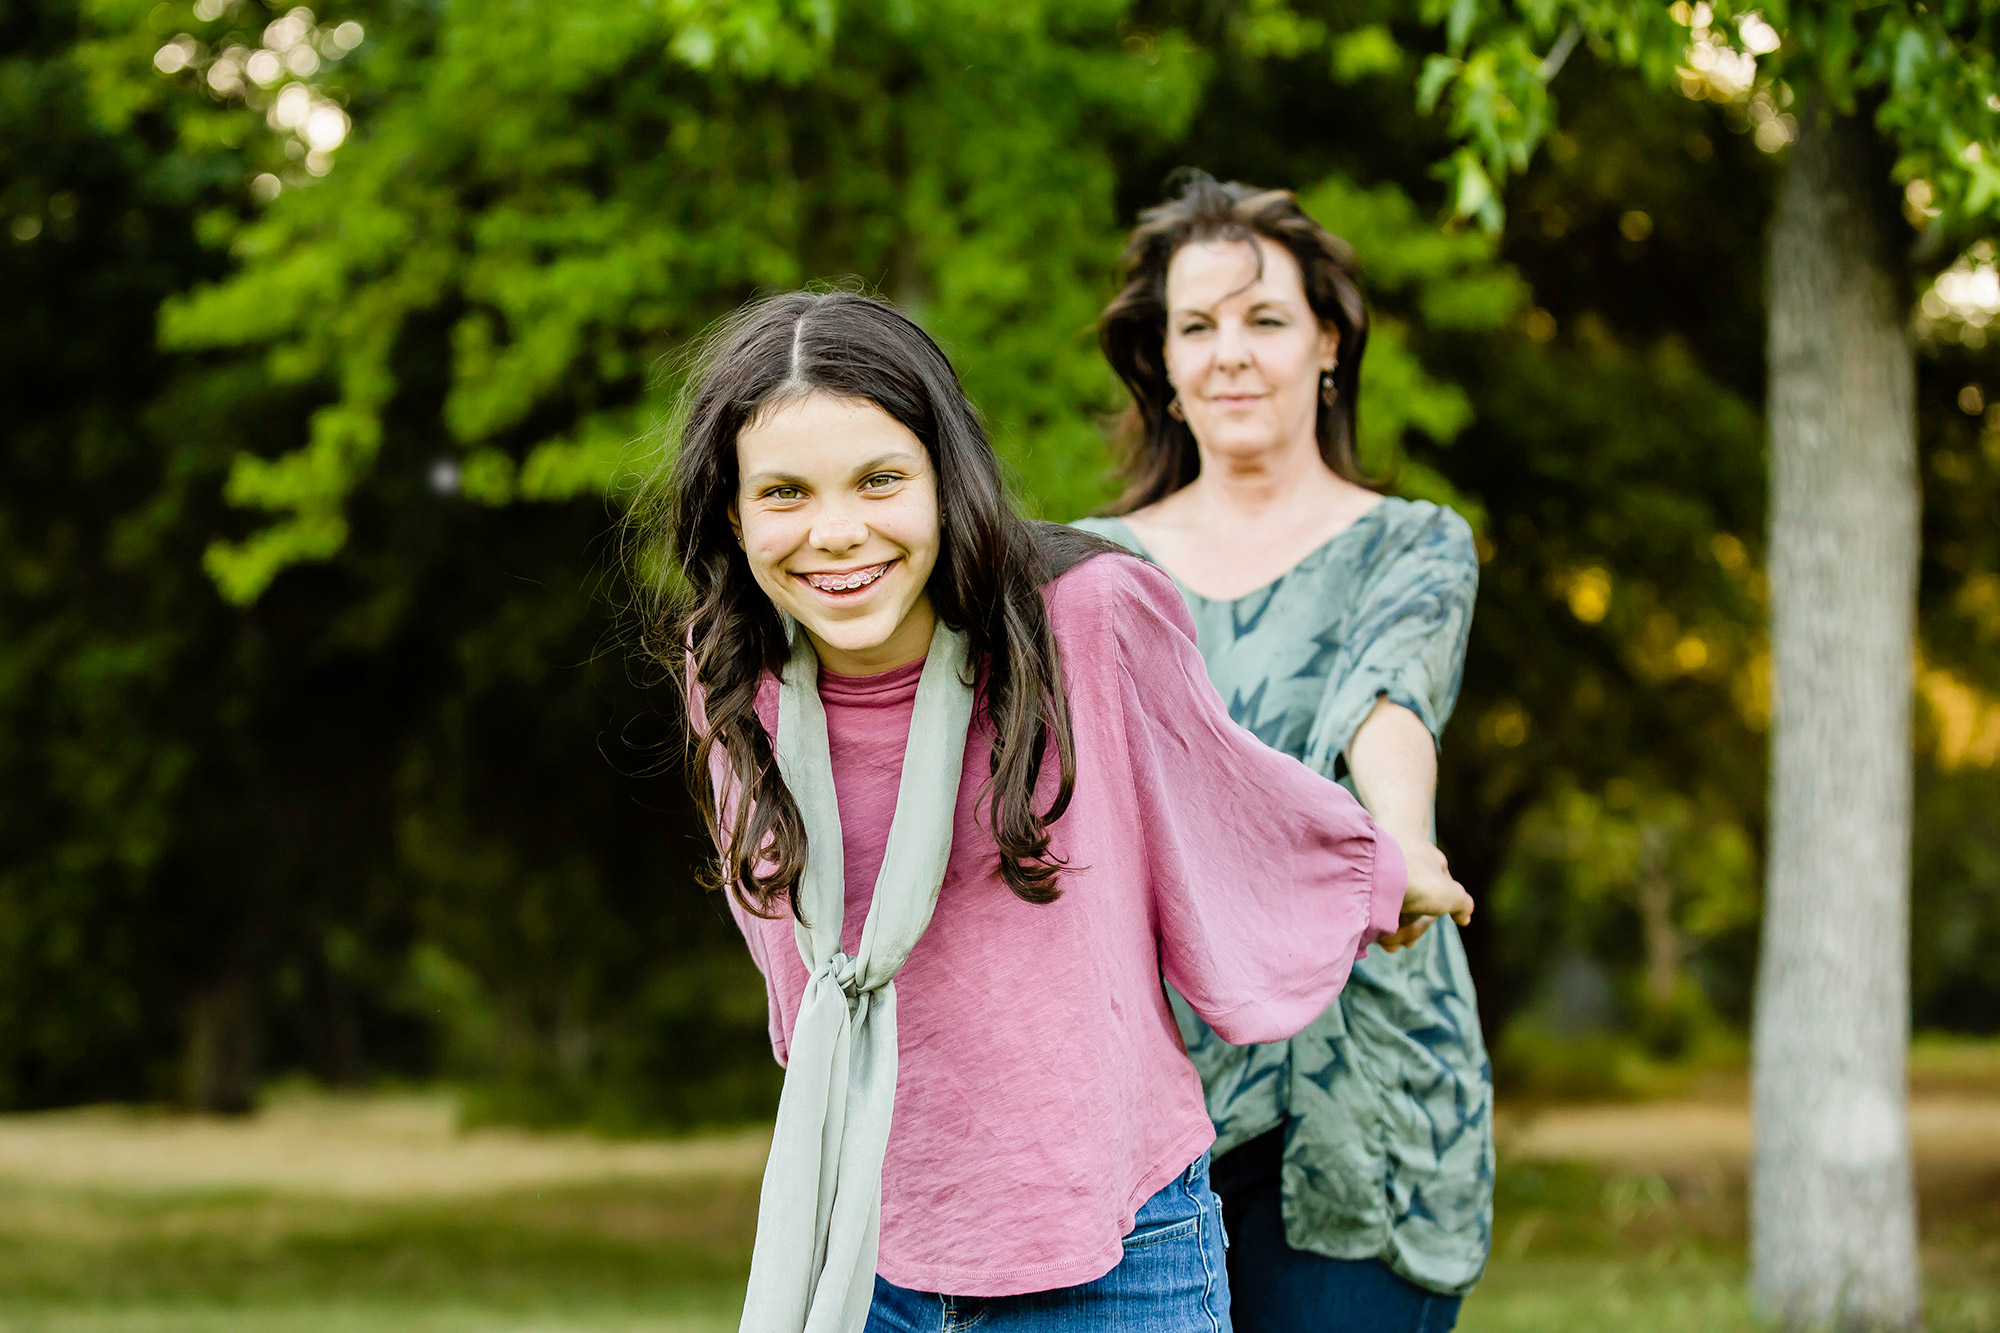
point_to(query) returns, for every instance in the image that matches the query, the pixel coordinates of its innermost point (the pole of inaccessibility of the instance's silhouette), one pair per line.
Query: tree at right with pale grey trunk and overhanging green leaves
(1907, 91)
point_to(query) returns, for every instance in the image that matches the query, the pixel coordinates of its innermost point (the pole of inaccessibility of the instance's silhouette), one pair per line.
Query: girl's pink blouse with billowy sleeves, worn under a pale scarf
(1043, 1092)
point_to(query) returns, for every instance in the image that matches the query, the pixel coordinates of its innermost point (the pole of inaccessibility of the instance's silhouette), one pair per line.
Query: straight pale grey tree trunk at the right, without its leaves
(1833, 1208)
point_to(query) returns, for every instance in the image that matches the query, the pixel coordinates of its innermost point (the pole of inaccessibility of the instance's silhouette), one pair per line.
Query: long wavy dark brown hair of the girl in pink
(721, 633)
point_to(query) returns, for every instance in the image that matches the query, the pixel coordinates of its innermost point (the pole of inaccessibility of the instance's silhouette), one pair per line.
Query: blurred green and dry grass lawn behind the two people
(611, 1238)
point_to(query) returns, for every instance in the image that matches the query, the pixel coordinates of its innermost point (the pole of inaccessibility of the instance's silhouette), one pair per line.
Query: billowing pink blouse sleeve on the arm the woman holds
(1267, 878)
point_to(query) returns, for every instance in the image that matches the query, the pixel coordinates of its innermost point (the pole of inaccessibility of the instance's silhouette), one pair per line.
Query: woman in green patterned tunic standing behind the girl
(1355, 1160)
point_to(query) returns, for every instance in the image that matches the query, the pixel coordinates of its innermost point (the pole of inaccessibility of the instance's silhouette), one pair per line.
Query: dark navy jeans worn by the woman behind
(1283, 1290)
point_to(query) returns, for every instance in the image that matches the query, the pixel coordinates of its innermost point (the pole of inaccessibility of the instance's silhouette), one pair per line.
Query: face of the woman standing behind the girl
(1243, 347)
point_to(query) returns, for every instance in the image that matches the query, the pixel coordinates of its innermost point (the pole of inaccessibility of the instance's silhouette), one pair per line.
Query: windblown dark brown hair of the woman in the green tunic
(1159, 451)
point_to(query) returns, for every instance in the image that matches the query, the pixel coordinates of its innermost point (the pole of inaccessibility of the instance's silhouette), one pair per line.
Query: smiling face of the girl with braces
(837, 509)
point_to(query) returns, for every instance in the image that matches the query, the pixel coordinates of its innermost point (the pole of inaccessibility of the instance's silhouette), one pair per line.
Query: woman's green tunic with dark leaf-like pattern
(1387, 1096)
